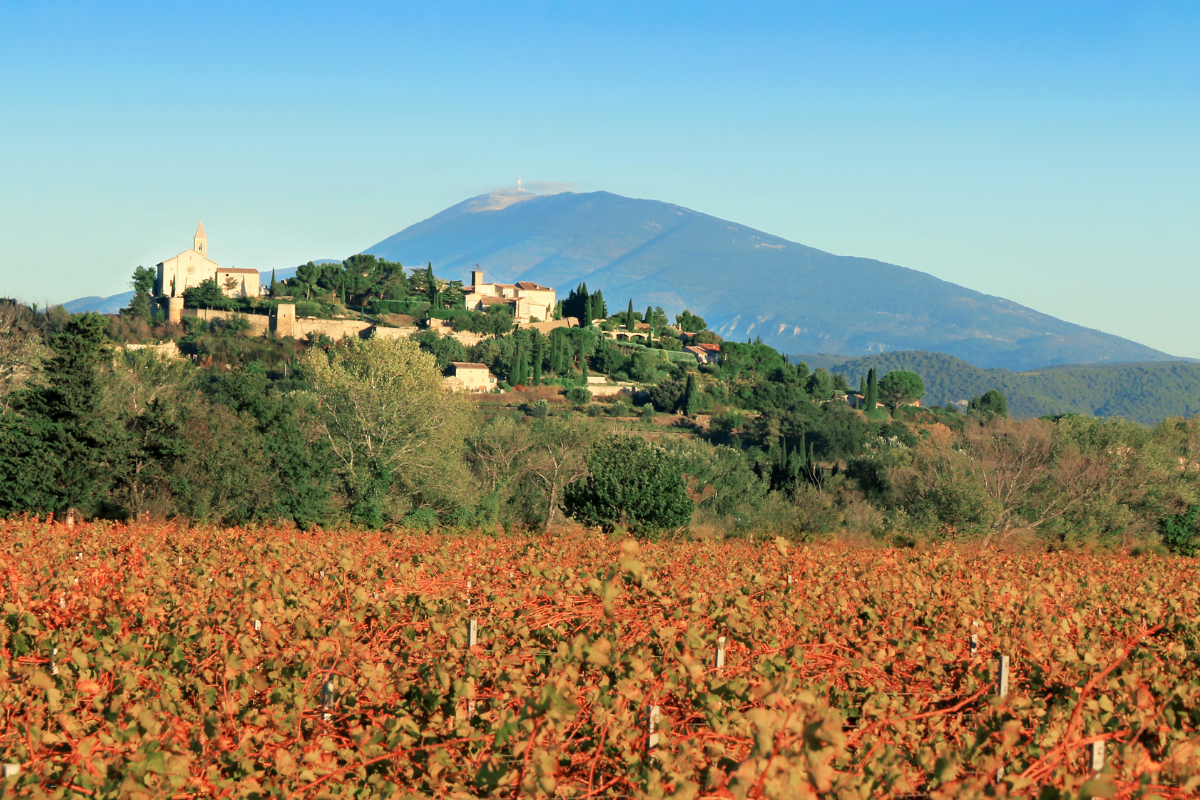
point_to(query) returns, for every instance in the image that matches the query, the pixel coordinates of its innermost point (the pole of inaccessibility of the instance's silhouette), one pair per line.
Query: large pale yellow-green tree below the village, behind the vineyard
(392, 426)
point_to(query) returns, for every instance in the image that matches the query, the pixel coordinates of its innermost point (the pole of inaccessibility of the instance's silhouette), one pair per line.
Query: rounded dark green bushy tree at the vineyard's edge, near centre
(631, 483)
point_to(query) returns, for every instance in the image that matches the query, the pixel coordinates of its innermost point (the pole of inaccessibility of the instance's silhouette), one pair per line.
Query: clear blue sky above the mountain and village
(1046, 153)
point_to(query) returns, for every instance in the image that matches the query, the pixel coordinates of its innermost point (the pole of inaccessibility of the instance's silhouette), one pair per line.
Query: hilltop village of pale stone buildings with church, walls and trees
(370, 298)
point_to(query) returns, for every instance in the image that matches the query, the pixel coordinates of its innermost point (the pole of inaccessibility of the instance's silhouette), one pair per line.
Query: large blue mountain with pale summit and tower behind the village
(745, 282)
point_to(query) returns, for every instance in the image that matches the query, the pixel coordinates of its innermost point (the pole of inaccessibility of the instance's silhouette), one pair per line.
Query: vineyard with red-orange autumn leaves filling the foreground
(151, 661)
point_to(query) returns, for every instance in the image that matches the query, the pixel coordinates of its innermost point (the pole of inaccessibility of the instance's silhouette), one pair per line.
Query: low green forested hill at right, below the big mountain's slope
(1144, 393)
